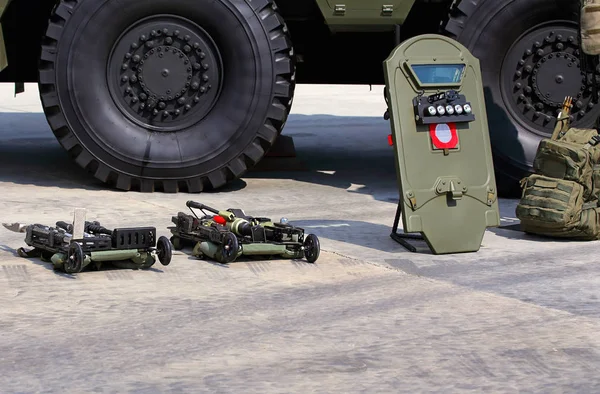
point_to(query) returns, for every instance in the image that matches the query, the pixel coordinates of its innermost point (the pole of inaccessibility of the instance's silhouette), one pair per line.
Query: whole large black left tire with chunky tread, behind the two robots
(166, 95)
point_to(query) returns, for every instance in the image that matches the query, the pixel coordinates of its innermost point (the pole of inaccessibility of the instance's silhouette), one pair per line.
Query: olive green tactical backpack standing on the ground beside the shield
(561, 198)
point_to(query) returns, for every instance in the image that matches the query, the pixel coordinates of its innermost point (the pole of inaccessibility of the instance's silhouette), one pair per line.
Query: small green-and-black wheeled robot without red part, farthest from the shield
(134, 248)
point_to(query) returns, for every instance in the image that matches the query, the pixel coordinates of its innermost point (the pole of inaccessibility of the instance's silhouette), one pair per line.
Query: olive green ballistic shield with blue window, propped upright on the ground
(442, 147)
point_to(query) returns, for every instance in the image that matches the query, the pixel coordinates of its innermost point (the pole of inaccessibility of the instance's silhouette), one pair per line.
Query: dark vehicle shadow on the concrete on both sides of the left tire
(344, 152)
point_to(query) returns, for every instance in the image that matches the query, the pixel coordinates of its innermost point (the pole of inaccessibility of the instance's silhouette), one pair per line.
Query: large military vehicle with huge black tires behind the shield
(186, 95)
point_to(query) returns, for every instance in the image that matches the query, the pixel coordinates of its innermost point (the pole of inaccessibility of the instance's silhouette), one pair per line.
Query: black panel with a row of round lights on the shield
(443, 107)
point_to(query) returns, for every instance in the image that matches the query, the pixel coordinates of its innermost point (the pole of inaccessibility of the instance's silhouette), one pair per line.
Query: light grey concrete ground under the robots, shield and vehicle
(522, 314)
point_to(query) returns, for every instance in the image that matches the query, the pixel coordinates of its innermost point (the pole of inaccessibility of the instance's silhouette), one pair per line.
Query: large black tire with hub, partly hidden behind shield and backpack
(524, 83)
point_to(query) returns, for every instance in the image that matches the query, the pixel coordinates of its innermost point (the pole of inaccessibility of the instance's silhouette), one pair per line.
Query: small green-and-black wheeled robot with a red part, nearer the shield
(226, 235)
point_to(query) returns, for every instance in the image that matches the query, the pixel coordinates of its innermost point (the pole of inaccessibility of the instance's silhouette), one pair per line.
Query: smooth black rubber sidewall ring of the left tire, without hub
(110, 137)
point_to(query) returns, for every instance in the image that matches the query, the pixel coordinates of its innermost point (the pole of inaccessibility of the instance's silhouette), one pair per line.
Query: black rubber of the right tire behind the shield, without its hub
(489, 32)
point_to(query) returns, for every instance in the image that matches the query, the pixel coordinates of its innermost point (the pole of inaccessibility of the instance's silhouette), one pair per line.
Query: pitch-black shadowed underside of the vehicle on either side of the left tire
(323, 57)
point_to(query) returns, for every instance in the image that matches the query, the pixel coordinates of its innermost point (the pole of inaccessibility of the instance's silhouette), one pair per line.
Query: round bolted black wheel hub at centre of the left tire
(165, 73)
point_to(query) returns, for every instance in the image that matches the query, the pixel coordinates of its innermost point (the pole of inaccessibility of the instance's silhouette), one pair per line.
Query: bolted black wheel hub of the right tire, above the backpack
(540, 70)
